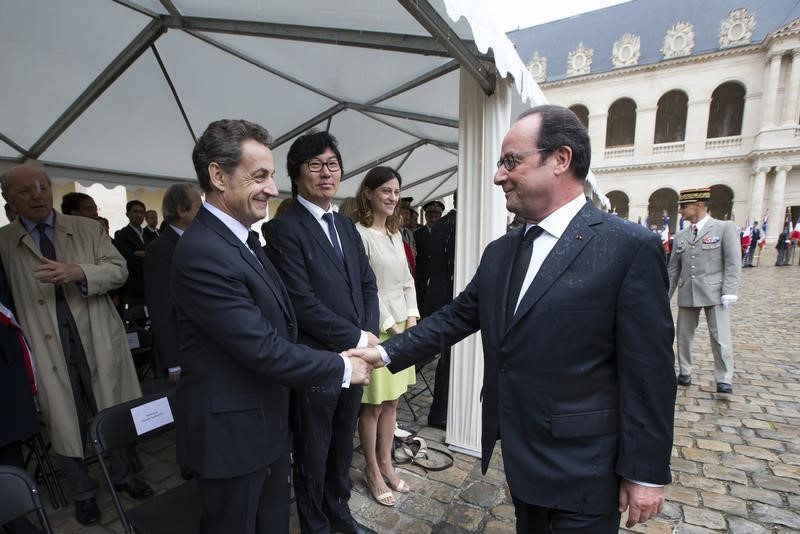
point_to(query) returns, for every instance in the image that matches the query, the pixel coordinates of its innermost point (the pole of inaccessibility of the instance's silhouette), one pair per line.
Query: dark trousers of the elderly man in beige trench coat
(81, 486)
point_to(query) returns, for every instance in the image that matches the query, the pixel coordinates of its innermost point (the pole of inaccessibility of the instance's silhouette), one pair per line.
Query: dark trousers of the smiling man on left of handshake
(255, 503)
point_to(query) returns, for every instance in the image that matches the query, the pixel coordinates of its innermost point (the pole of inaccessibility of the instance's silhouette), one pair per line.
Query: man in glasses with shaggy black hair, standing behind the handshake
(332, 287)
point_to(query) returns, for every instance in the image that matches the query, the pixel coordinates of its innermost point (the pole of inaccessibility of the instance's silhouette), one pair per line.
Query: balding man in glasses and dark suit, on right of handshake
(579, 382)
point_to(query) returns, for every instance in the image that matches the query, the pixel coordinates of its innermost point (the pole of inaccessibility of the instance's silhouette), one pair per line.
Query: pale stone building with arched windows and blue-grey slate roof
(682, 94)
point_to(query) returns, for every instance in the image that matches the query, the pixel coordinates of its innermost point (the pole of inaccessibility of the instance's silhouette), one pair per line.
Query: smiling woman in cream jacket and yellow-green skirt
(379, 225)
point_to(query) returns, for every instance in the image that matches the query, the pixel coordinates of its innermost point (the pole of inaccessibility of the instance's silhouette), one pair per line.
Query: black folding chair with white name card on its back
(175, 511)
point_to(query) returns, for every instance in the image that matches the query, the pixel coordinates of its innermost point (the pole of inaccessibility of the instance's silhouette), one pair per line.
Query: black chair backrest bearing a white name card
(114, 427)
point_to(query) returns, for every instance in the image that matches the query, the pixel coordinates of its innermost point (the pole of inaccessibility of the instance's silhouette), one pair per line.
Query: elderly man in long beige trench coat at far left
(86, 365)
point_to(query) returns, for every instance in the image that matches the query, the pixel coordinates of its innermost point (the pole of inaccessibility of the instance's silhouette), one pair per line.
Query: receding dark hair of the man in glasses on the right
(561, 127)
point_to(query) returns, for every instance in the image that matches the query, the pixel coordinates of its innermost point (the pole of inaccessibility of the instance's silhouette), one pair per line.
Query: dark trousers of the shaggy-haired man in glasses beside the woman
(324, 423)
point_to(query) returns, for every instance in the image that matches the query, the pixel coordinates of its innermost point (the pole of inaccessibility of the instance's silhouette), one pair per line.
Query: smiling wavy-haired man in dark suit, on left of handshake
(237, 332)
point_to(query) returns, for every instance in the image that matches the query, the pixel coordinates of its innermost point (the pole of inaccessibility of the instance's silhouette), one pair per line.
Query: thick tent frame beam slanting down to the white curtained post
(457, 48)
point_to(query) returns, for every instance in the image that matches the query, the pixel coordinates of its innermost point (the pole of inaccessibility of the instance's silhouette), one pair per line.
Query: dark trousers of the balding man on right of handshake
(532, 519)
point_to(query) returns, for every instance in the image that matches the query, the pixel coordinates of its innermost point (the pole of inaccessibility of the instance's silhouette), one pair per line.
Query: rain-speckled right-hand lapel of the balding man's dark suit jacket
(572, 241)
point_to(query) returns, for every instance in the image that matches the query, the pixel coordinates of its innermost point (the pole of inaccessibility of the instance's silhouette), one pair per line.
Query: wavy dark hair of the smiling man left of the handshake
(221, 143)
